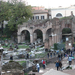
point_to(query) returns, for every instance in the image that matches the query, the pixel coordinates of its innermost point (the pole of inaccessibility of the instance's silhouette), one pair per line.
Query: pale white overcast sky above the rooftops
(51, 3)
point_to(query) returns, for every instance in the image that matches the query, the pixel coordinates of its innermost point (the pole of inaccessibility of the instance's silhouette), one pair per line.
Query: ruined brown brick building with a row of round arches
(51, 30)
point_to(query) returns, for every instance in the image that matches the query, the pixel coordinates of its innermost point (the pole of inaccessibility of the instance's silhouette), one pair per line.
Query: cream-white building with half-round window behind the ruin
(62, 12)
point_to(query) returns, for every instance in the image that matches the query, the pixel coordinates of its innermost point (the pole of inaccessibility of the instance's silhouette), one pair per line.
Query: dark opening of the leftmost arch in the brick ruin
(25, 36)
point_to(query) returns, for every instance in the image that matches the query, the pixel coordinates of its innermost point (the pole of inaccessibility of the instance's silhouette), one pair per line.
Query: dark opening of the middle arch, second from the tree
(37, 34)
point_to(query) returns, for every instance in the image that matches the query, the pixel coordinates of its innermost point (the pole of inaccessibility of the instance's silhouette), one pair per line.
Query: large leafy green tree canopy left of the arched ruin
(15, 12)
